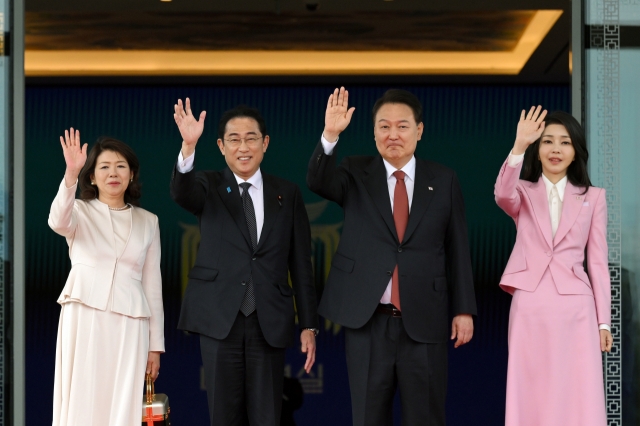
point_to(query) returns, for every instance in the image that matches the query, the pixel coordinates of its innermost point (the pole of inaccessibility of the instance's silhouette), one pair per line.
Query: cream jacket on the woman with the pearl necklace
(133, 280)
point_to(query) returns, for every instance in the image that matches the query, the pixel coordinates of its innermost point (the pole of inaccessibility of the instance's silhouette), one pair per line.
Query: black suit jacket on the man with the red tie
(433, 260)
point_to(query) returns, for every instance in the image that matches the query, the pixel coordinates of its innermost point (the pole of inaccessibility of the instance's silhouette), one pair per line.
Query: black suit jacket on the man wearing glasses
(226, 260)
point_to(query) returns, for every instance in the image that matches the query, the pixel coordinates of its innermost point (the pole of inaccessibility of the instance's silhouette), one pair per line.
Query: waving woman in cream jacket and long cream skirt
(111, 329)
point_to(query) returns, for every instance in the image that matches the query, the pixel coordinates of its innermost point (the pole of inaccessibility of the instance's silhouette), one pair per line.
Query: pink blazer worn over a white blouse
(583, 224)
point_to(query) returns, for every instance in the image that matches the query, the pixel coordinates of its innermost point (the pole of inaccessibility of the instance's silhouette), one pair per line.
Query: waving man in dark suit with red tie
(403, 258)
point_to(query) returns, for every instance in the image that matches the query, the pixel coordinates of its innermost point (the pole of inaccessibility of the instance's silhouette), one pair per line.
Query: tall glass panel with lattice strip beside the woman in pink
(613, 131)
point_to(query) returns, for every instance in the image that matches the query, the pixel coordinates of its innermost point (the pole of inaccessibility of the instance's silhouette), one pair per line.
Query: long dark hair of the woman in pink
(577, 172)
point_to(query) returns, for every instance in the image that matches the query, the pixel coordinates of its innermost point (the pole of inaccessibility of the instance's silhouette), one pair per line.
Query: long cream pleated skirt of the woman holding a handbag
(101, 359)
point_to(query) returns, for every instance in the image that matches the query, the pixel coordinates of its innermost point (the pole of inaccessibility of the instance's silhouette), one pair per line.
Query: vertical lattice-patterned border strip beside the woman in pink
(605, 42)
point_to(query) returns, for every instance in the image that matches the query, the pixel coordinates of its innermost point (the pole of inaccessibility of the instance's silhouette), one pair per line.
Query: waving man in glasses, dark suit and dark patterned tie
(254, 235)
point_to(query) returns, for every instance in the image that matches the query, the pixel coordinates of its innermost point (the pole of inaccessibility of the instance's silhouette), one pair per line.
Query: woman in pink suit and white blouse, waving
(560, 314)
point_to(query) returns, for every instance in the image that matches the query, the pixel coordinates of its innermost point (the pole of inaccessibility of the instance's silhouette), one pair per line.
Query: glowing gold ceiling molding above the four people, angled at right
(235, 62)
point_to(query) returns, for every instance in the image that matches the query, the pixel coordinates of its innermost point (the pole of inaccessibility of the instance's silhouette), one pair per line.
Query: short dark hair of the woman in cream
(90, 192)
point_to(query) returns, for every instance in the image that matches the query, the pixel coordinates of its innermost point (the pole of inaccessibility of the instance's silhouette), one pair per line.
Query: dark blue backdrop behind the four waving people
(468, 128)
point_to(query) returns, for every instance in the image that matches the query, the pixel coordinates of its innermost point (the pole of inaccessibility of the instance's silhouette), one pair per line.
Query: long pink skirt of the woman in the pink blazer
(554, 376)
